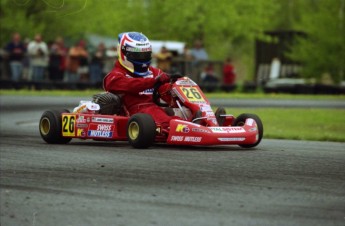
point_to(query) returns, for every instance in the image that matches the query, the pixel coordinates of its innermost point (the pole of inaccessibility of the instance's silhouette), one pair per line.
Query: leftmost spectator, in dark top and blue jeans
(16, 50)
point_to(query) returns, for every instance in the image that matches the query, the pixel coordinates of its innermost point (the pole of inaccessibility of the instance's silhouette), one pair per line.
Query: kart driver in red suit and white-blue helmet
(133, 78)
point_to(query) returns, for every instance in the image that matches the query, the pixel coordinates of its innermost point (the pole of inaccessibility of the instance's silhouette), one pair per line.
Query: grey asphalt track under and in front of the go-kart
(108, 183)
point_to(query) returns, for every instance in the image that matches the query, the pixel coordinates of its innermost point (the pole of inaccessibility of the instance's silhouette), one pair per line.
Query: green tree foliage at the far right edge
(323, 50)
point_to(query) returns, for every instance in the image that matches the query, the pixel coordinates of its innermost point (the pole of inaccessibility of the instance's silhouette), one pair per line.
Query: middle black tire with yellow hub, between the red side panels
(141, 130)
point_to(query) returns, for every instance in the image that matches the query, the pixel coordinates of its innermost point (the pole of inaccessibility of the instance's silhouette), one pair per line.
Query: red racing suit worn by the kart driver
(136, 92)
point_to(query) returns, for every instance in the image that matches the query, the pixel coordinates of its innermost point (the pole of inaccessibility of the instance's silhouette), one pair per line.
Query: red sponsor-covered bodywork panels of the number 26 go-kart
(181, 131)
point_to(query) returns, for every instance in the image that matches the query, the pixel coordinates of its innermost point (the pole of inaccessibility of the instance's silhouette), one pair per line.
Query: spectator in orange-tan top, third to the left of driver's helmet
(77, 63)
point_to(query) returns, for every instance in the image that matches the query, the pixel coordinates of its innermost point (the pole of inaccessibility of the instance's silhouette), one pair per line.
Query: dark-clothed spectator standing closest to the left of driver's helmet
(97, 63)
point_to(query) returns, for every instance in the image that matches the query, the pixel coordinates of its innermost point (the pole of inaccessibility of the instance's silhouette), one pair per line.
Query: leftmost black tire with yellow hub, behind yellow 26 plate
(50, 127)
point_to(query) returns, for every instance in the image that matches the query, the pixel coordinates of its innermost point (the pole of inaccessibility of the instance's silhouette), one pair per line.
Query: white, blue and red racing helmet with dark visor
(134, 50)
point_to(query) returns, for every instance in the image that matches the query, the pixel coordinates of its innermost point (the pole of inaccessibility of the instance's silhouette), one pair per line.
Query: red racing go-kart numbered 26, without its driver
(105, 118)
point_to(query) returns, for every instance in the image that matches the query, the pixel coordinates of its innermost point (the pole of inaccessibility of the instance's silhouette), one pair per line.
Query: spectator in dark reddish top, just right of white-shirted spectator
(57, 61)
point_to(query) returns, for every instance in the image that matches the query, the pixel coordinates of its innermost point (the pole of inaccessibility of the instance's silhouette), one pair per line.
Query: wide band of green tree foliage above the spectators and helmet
(227, 28)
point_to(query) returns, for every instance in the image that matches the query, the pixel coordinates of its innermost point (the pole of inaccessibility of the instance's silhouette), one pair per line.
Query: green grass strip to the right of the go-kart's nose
(299, 124)
